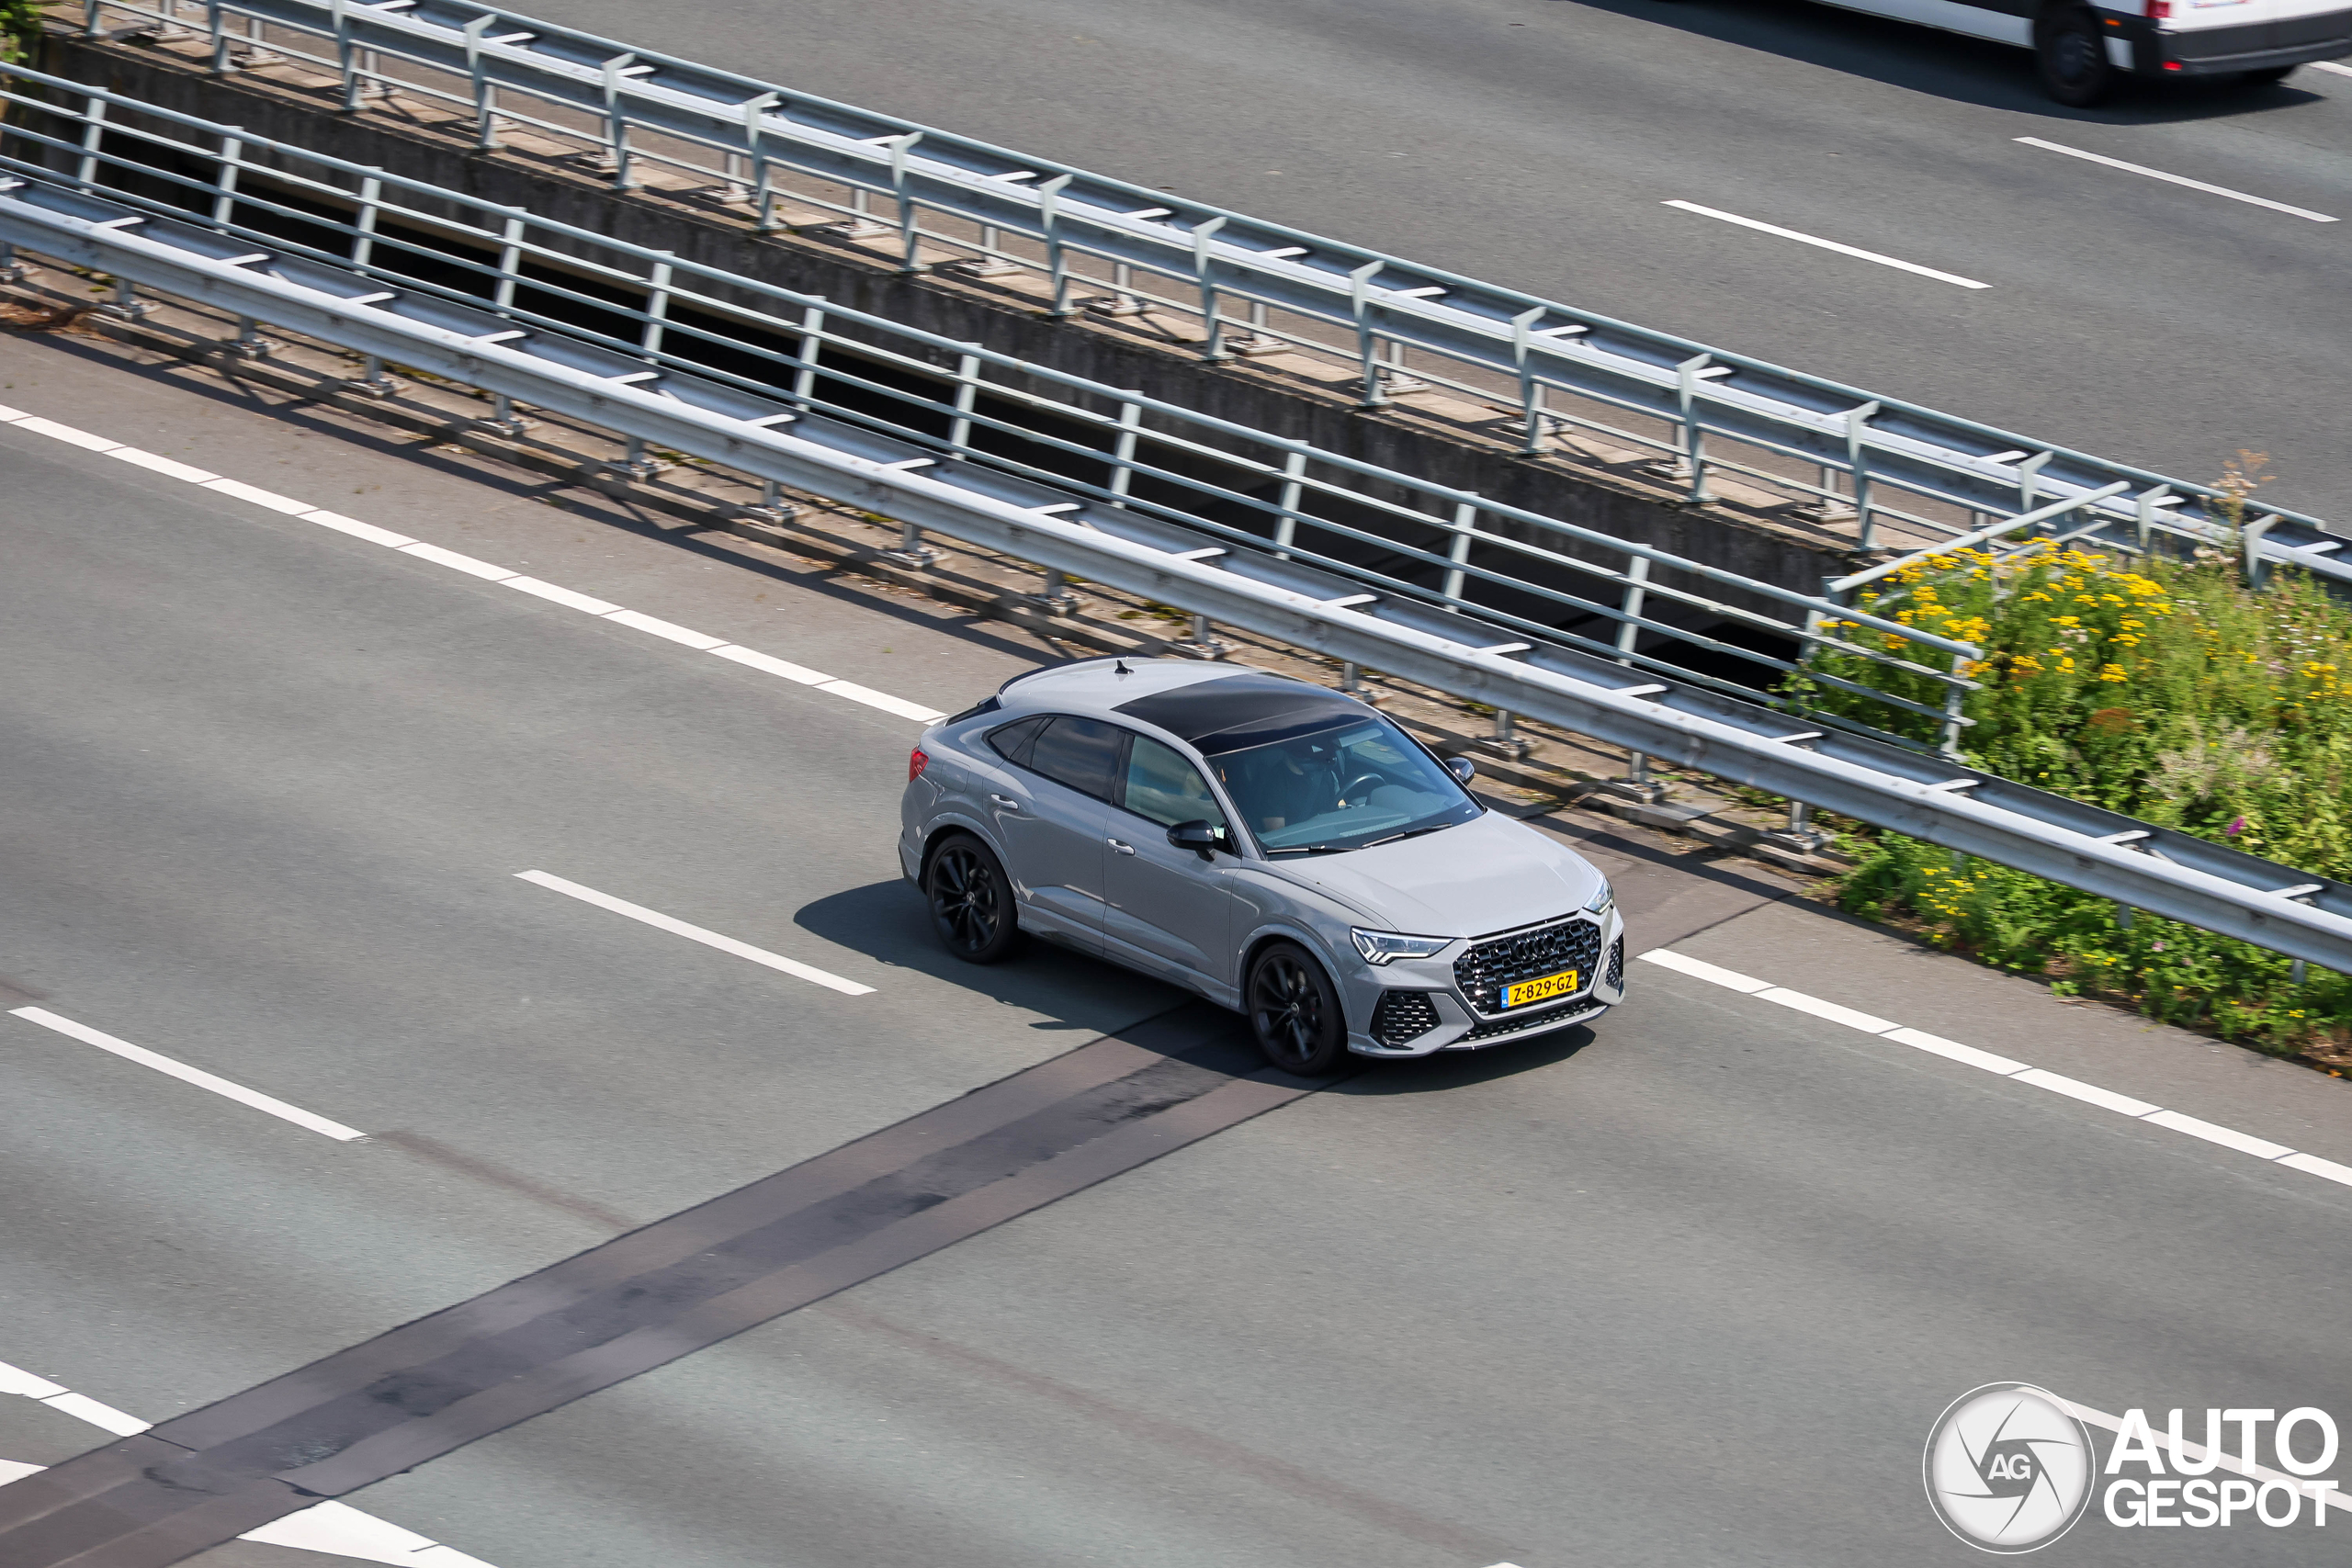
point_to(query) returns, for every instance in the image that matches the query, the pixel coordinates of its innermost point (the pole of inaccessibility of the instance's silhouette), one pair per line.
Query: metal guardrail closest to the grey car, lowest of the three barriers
(1255, 587)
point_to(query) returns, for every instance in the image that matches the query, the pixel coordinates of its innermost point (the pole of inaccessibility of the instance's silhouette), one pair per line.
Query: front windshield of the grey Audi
(1344, 786)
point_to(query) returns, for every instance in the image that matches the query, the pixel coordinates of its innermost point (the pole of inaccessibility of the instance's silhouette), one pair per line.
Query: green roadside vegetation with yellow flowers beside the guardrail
(2165, 690)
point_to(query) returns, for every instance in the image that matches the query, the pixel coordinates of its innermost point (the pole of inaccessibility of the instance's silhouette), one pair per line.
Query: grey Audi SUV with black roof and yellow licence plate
(1271, 845)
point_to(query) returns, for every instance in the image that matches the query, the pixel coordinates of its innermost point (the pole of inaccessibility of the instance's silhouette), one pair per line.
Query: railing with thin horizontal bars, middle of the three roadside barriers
(1523, 575)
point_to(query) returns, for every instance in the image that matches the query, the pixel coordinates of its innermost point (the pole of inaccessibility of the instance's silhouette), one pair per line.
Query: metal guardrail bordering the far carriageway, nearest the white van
(1243, 283)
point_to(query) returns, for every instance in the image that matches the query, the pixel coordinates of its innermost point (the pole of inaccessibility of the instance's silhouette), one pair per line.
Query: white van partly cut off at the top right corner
(2085, 48)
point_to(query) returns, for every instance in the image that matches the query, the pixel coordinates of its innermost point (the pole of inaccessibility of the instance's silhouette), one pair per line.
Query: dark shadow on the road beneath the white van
(1944, 65)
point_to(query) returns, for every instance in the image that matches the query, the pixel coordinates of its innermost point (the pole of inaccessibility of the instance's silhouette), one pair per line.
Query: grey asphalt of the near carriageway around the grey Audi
(1681, 1289)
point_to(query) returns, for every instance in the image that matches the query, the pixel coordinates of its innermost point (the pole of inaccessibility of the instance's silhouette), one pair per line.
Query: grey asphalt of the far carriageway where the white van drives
(1537, 142)
